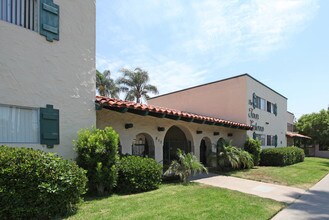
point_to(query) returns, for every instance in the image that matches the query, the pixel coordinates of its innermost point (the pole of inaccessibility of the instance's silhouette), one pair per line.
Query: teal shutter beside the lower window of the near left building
(49, 126)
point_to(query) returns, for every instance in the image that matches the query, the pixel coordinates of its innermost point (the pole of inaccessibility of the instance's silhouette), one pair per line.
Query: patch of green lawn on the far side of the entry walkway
(302, 175)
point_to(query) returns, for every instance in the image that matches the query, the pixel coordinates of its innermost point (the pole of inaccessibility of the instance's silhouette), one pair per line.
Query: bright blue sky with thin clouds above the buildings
(183, 43)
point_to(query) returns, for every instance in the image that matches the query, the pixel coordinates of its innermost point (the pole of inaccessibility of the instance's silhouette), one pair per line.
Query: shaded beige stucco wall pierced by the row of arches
(149, 125)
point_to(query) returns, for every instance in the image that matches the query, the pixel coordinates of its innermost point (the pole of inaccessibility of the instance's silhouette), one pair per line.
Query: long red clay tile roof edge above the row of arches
(111, 103)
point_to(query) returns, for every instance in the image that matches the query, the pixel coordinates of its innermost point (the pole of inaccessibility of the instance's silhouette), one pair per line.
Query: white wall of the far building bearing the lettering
(273, 125)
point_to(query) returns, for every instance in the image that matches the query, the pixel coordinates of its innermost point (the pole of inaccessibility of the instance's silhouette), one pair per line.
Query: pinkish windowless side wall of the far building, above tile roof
(223, 99)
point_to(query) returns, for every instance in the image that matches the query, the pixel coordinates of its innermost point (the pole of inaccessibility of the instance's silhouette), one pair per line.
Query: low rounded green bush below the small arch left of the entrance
(138, 174)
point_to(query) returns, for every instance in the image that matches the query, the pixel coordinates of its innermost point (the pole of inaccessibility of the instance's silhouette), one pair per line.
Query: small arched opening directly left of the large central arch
(143, 146)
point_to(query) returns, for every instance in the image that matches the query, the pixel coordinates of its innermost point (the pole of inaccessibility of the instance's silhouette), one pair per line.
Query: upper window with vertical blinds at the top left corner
(20, 12)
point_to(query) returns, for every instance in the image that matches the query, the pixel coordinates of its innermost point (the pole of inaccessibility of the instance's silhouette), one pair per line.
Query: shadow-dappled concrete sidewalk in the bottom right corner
(314, 204)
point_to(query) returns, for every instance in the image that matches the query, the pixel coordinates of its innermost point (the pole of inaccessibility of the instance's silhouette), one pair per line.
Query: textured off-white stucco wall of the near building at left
(35, 72)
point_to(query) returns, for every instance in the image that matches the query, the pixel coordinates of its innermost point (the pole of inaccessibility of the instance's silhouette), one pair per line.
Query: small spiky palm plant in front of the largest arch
(185, 166)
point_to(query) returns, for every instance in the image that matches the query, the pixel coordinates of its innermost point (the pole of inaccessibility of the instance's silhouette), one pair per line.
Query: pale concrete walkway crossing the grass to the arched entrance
(266, 190)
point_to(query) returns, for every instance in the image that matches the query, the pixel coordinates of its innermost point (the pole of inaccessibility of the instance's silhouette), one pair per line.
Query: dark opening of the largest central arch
(175, 139)
